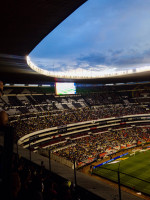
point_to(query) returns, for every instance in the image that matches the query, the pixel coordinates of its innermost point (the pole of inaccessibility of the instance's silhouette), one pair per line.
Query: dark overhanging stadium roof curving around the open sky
(23, 25)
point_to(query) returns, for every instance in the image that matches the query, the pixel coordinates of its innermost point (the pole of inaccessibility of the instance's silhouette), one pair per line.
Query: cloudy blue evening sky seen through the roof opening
(102, 36)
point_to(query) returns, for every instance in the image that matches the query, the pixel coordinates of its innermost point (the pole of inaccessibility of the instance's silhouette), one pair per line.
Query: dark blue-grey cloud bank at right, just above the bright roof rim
(119, 58)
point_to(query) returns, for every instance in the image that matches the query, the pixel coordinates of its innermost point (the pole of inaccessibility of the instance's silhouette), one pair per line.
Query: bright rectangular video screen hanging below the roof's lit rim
(65, 88)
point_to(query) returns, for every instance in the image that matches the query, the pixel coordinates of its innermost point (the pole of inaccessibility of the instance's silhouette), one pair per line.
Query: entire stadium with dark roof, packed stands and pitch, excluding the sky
(69, 136)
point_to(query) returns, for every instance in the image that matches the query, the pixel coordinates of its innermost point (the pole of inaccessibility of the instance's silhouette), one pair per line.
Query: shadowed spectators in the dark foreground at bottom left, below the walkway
(33, 182)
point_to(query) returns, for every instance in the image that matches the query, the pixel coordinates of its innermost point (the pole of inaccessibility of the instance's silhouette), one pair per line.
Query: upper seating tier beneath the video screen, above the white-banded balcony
(32, 109)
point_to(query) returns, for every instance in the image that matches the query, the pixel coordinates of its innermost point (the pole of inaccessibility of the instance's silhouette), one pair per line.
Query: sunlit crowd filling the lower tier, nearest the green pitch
(108, 142)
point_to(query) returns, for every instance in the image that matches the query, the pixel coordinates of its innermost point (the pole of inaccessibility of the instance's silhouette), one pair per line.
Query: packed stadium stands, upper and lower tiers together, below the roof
(90, 126)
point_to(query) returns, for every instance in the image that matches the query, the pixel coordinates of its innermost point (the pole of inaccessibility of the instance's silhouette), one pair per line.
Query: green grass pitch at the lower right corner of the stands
(134, 171)
